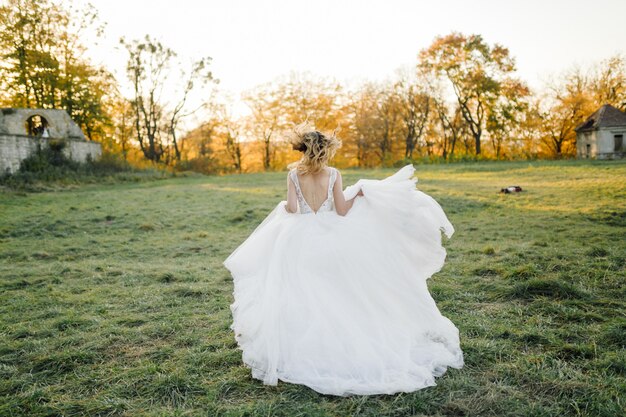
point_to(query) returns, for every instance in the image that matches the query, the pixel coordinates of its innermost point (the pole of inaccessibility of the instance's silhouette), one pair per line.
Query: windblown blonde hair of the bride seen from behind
(317, 148)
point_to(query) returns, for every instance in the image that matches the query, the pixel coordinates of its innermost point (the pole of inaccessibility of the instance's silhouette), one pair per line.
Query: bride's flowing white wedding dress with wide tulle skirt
(340, 303)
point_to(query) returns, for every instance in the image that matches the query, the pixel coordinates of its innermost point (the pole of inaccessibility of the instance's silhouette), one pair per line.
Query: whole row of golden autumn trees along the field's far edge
(460, 100)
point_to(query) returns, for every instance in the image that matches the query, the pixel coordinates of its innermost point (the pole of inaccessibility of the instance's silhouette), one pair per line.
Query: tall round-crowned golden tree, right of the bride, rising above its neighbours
(476, 72)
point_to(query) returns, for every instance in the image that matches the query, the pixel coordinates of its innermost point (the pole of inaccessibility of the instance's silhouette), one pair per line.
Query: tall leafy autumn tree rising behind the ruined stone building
(43, 64)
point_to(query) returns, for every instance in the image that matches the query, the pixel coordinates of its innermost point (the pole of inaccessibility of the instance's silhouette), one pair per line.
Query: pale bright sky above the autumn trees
(254, 42)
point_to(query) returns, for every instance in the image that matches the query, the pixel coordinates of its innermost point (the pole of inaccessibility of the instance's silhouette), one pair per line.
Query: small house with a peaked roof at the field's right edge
(601, 136)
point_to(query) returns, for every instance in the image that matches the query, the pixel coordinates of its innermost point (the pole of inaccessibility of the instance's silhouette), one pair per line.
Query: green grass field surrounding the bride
(114, 300)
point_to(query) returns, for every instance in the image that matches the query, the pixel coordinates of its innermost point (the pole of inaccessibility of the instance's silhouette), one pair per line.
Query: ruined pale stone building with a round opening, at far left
(23, 131)
